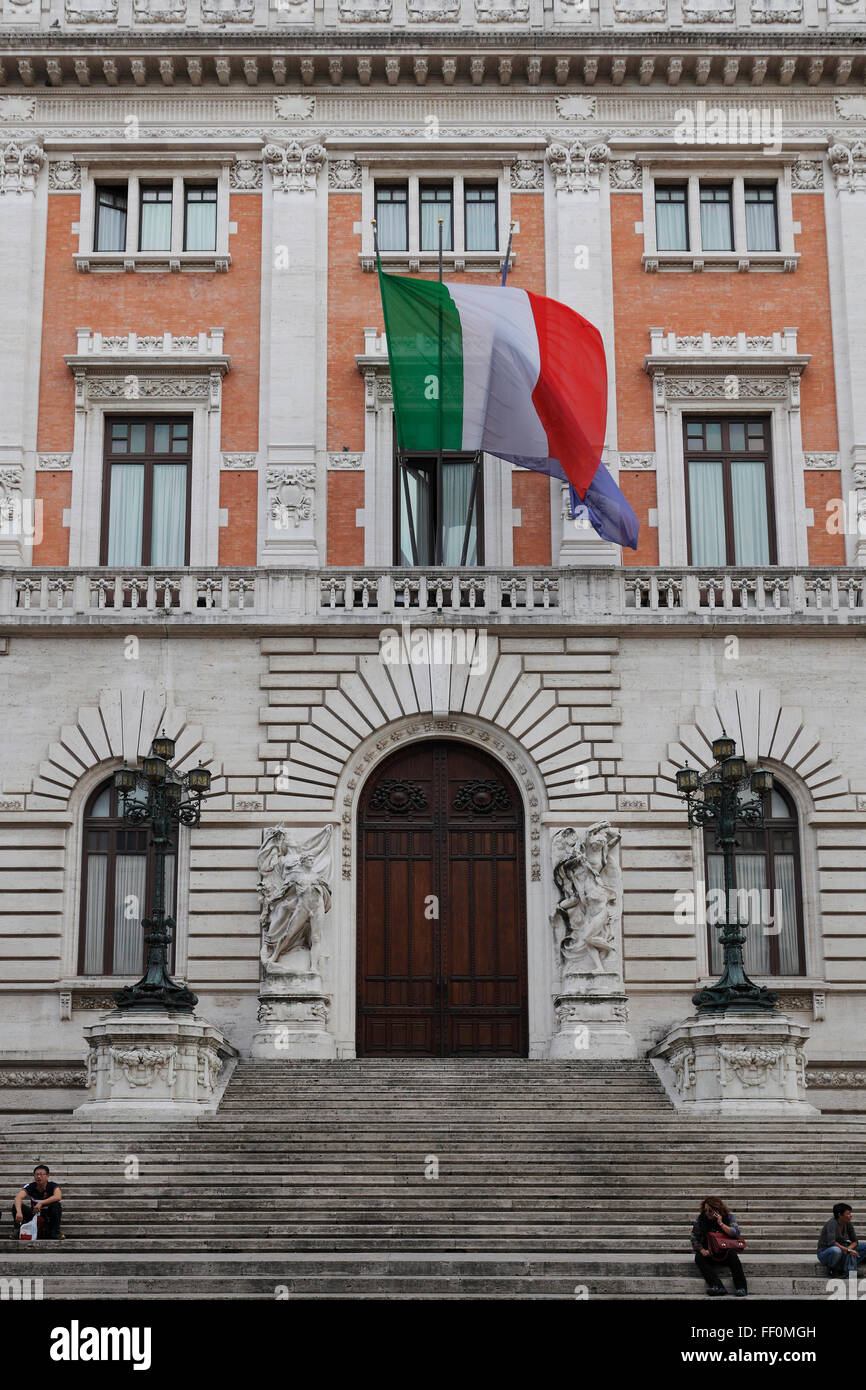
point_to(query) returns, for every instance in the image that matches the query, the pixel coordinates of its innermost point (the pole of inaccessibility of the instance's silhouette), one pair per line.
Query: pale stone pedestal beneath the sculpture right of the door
(591, 1015)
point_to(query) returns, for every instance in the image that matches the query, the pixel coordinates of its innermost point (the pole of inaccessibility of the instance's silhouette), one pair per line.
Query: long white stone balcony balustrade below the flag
(262, 598)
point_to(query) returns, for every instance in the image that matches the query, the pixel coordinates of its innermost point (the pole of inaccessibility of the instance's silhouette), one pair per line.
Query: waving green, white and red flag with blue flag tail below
(516, 375)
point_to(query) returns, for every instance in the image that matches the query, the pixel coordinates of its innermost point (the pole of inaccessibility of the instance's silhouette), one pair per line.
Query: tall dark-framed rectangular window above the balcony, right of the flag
(729, 491)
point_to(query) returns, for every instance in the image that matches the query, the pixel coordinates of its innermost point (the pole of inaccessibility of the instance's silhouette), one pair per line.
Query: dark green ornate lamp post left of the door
(161, 797)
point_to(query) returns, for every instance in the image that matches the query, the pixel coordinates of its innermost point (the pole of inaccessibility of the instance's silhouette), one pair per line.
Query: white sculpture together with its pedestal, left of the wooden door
(295, 899)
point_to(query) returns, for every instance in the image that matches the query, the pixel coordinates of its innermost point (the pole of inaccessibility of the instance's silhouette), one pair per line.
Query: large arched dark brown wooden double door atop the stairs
(441, 949)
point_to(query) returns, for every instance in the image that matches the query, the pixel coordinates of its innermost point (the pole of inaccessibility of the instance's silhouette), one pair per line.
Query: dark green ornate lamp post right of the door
(721, 799)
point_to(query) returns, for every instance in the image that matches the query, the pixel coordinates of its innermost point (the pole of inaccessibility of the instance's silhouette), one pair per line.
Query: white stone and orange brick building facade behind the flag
(208, 530)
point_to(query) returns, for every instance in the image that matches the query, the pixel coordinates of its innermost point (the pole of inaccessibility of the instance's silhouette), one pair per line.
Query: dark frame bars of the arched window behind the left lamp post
(113, 825)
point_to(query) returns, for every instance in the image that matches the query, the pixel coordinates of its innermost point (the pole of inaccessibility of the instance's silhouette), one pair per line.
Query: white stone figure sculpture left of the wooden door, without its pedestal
(297, 896)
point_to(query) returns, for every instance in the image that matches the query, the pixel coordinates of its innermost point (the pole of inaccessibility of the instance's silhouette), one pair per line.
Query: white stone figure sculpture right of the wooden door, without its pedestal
(590, 883)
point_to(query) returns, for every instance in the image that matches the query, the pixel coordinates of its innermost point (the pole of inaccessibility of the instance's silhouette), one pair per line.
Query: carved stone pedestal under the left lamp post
(152, 1065)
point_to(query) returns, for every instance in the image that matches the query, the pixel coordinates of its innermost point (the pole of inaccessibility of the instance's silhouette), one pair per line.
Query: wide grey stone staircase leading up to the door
(320, 1179)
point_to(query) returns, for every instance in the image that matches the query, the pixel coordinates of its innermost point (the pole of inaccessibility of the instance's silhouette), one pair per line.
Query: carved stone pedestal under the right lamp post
(736, 1064)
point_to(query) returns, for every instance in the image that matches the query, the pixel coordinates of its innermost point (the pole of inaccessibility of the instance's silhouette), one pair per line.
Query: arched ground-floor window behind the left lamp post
(117, 889)
